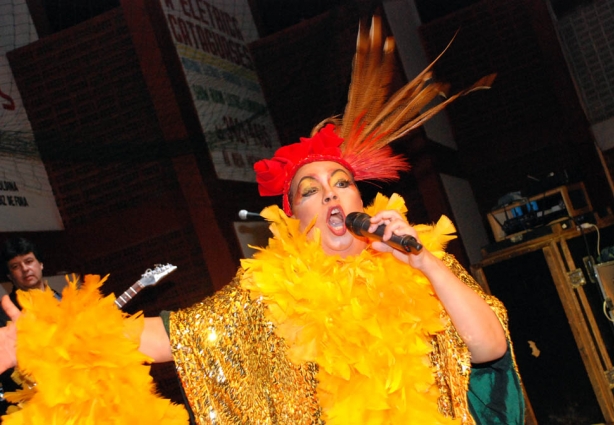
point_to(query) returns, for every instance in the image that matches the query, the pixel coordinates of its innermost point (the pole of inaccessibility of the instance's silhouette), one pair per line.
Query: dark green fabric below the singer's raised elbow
(495, 394)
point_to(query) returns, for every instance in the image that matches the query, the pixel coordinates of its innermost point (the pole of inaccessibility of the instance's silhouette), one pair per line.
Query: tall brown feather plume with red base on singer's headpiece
(371, 120)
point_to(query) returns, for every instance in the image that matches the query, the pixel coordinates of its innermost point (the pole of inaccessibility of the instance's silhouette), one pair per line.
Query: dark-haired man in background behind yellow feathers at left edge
(21, 262)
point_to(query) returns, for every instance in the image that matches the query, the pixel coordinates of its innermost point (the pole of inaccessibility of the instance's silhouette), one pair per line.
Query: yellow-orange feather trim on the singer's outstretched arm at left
(82, 354)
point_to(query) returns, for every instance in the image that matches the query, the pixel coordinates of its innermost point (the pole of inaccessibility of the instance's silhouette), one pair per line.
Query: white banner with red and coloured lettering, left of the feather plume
(211, 39)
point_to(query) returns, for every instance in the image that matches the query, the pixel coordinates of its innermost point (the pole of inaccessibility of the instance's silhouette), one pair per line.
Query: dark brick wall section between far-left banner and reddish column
(108, 163)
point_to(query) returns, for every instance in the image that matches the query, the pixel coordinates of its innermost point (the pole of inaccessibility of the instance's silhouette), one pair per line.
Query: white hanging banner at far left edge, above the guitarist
(26, 199)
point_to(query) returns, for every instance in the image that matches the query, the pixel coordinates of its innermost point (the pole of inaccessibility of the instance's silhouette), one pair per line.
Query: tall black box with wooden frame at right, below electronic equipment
(562, 340)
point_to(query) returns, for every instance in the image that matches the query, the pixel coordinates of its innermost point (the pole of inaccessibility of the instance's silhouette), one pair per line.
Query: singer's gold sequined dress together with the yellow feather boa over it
(300, 337)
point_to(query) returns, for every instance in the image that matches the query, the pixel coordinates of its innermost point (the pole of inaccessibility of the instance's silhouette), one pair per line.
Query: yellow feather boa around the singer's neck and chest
(367, 321)
